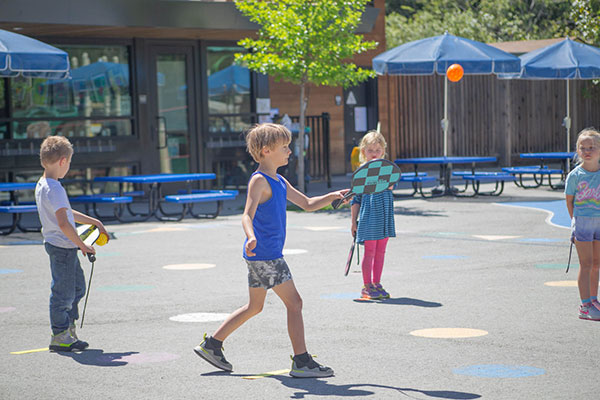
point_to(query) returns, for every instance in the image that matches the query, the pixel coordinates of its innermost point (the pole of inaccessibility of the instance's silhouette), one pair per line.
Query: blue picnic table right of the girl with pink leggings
(445, 164)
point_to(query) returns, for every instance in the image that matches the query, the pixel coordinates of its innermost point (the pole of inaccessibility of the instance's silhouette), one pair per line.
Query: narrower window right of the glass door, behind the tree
(229, 93)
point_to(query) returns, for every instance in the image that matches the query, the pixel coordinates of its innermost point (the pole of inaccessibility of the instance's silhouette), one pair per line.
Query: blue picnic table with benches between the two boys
(154, 199)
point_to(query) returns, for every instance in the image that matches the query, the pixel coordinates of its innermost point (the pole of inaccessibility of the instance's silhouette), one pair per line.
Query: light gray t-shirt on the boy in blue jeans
(50, 197)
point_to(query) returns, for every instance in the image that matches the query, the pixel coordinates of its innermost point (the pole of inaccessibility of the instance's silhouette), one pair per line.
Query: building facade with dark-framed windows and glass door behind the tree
(154, 89)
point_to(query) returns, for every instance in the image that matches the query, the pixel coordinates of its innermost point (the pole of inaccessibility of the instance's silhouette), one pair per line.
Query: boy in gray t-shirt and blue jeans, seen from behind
(61, 243)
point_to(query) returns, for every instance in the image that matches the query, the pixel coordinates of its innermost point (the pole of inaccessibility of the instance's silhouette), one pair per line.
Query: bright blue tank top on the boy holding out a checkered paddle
(269, 222)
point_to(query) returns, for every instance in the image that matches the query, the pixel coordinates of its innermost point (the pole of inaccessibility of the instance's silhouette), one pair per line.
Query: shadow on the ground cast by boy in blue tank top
(317, 387)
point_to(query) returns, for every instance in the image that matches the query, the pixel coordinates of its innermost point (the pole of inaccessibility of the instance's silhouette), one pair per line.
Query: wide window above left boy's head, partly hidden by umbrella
(94, 101)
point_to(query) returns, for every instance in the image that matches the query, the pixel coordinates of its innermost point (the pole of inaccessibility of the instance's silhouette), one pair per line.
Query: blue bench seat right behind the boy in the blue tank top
(188, 199)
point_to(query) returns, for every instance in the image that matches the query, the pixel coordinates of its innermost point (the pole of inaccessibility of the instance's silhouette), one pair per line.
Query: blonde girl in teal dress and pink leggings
(375, 225)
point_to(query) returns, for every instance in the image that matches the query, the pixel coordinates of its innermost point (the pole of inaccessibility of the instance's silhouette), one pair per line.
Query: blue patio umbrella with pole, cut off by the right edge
(562, 60)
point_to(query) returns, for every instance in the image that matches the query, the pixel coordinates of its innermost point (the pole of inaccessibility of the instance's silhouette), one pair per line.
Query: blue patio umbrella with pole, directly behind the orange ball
(436, 54)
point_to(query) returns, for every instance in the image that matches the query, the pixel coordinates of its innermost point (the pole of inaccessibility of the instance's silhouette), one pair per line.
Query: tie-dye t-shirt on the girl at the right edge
(585, 186)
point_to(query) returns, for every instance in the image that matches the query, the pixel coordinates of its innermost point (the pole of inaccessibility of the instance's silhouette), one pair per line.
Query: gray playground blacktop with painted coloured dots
(480, 307)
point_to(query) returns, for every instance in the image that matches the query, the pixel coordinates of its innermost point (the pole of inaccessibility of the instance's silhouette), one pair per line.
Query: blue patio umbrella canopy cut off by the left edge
(22, 55)
